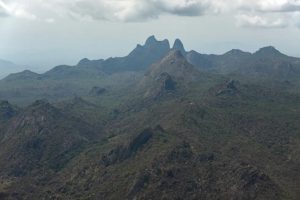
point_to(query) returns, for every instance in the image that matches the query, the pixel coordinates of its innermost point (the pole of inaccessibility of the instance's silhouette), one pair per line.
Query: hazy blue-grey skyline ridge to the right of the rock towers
(267, 62)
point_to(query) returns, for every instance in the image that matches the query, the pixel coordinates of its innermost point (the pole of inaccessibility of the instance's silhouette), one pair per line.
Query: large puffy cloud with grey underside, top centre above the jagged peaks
(135, 10)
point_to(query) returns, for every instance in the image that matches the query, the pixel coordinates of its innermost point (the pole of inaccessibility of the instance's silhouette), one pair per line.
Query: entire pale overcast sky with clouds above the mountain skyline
(45, 33)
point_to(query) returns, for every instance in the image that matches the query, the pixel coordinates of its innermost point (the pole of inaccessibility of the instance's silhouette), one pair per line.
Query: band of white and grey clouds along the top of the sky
(249, 13)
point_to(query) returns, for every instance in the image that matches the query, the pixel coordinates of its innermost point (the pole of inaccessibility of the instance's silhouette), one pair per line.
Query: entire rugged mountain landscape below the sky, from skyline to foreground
(159, 123)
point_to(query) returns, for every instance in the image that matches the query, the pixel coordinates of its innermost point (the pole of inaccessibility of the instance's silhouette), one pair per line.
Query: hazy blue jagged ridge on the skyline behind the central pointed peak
(140, 58)
